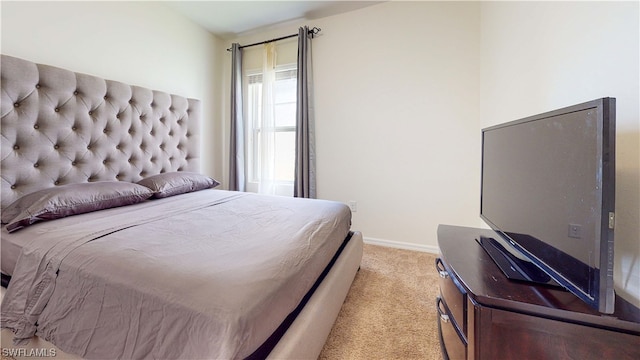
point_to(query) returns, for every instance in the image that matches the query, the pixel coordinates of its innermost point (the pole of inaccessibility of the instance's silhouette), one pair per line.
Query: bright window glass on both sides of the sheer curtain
(285, 128)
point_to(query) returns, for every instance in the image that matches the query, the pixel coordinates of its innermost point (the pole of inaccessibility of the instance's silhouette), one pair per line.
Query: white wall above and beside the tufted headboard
(139, 43)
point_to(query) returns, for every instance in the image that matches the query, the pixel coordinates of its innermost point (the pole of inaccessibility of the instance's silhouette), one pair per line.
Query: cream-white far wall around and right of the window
(396, 97)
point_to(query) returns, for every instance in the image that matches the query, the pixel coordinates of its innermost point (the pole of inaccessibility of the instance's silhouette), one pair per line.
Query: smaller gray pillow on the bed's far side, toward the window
(175, 183)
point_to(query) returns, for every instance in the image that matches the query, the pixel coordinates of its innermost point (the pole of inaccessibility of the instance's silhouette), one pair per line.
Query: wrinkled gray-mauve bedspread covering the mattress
(209, 274)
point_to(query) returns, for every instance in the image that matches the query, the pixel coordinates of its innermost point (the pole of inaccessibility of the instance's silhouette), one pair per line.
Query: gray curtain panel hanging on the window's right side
(305, 169)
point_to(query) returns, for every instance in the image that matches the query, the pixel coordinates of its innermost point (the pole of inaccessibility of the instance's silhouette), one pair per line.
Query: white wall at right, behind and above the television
(540, 56)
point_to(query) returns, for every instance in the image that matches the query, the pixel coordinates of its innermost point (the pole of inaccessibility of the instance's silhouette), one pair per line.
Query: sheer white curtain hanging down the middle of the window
(267, 135)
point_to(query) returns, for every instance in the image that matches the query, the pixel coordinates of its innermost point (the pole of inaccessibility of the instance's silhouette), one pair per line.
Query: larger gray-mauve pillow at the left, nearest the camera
(60, 201)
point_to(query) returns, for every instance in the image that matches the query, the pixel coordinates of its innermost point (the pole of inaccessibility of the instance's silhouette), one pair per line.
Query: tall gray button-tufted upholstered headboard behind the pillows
(61, 127)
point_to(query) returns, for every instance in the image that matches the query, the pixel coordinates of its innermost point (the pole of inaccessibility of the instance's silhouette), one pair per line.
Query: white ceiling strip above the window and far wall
(228, 19)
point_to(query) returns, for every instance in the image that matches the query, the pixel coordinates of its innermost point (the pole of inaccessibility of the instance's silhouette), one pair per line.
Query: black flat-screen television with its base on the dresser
(548, 192)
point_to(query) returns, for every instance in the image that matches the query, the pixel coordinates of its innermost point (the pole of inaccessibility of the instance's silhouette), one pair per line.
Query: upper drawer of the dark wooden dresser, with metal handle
(454, 296)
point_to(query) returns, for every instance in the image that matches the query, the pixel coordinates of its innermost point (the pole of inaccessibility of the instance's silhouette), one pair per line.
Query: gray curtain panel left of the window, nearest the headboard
(236, 151)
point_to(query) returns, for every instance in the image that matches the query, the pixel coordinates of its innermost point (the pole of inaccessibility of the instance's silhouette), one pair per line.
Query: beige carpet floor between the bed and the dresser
(390, 310)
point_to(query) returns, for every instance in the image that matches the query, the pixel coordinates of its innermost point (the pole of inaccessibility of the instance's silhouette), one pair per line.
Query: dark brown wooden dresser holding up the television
(484, 315)
